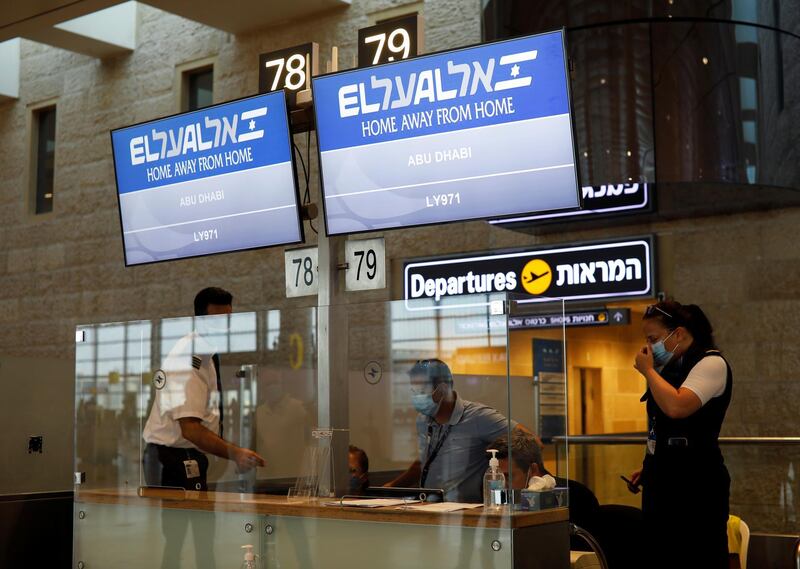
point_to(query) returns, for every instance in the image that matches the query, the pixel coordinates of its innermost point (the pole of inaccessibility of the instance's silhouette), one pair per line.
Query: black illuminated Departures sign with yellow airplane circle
(599, 270)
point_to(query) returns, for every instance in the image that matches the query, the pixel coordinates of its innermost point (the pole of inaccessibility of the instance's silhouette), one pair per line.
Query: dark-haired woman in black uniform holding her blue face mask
(685, 482)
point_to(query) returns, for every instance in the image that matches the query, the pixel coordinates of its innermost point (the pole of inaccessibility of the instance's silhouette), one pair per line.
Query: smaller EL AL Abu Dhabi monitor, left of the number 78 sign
(215, 180)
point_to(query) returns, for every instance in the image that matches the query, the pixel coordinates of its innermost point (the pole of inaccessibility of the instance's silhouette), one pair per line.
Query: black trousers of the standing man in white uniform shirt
(163, 466)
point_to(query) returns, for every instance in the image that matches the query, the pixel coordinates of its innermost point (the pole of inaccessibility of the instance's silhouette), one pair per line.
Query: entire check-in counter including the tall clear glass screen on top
(305, 419)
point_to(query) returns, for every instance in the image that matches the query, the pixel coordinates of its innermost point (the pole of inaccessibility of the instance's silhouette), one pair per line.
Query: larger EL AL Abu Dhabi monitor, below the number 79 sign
(480, 132)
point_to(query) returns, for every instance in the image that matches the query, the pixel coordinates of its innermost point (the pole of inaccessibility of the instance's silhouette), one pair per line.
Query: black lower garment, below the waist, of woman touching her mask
(685, 508)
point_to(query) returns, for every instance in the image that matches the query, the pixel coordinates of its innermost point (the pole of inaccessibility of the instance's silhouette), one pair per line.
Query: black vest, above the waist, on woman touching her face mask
(699, 431)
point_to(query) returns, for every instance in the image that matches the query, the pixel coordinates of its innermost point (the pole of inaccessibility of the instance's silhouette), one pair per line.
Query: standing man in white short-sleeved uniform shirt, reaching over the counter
(185, 420)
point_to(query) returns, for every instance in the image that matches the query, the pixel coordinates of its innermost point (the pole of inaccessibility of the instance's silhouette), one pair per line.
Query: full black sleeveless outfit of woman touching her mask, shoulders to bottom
(686, 485)
